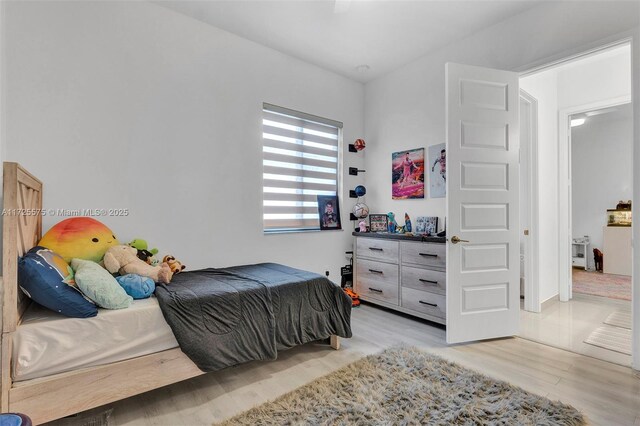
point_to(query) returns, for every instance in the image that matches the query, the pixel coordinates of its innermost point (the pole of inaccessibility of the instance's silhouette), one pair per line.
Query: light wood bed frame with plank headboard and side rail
(63, 394)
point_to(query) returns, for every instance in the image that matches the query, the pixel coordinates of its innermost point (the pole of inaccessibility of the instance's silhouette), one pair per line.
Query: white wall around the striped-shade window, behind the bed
(131, 105)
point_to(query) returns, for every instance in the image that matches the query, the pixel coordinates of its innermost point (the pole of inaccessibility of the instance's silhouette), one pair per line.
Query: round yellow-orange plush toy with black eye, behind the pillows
(79, 237)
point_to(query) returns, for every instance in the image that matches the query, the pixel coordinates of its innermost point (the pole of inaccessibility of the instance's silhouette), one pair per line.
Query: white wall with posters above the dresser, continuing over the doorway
(406, 108)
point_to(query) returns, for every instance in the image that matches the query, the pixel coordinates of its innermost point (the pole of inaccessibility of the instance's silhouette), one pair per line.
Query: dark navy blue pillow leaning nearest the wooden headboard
(47, 279)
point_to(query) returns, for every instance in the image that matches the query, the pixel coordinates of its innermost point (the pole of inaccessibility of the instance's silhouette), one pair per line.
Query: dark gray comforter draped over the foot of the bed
(224, 317)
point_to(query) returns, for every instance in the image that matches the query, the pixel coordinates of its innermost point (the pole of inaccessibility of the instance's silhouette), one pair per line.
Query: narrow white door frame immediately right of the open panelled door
(531, 265)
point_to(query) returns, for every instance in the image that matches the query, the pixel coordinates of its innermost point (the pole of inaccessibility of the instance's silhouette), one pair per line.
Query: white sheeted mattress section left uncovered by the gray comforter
(47, 343)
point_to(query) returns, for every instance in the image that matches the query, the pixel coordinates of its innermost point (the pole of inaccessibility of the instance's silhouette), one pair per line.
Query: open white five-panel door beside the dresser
(483, 266)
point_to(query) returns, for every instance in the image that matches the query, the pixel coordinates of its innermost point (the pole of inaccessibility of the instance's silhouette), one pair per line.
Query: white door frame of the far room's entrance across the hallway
(564, 181)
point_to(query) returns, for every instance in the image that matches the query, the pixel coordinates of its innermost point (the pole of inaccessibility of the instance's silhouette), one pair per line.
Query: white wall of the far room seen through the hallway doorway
(601, 171)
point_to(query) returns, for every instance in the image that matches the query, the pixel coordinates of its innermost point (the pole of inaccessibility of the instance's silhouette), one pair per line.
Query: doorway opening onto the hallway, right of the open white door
(569, 306)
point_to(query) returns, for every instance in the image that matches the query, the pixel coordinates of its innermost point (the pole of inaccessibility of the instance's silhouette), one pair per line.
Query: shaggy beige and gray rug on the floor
(405, 386)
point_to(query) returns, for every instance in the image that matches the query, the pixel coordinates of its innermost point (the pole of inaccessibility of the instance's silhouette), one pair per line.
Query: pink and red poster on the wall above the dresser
(407, 174)
